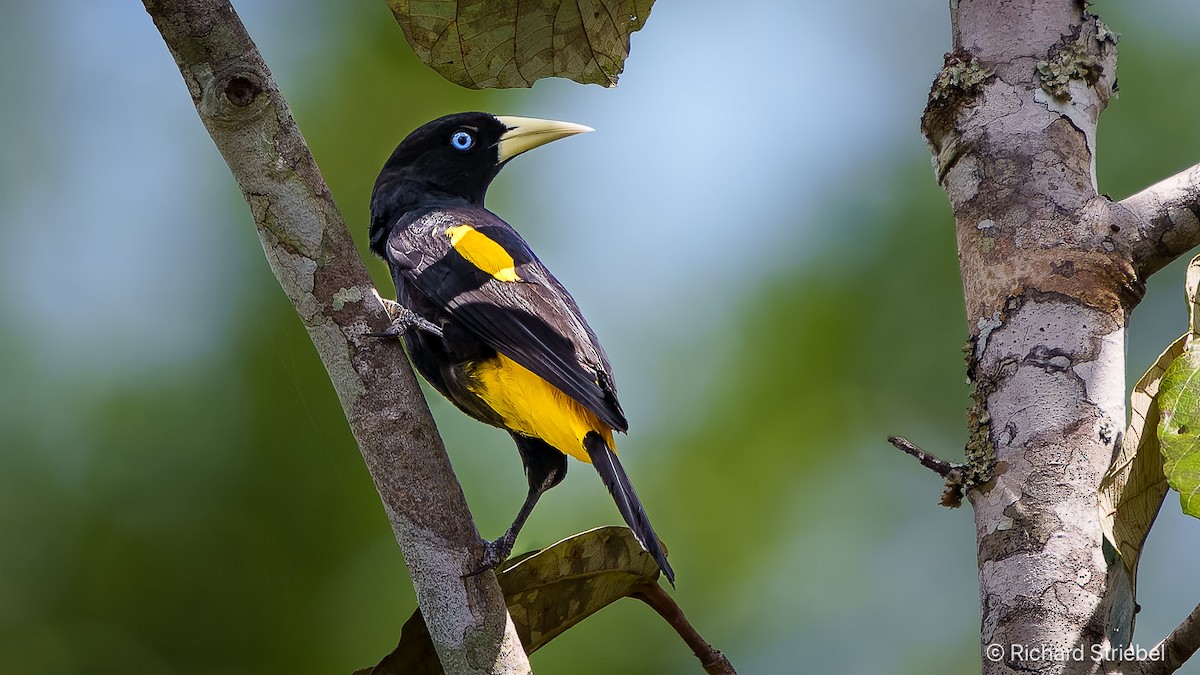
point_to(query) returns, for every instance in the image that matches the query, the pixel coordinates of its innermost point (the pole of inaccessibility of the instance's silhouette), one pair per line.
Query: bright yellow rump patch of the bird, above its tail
(532, 407)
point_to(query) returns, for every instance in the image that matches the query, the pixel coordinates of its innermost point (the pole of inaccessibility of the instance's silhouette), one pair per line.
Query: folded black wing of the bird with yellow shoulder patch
(483, 274)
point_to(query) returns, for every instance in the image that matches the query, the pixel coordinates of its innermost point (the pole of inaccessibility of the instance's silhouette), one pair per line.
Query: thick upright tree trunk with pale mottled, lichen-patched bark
(1049, 280)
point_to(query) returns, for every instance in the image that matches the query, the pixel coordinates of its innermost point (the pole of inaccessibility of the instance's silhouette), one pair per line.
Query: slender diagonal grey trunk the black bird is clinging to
(314, 258)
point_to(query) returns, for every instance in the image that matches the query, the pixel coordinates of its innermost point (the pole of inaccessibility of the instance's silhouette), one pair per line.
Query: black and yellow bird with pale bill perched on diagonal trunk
(483, 319)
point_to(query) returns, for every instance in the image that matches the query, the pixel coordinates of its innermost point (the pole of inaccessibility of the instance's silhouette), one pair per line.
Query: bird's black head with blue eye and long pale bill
(453, 160)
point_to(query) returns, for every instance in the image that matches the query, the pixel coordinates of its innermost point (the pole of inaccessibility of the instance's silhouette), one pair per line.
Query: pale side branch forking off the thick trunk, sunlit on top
(1168, 220)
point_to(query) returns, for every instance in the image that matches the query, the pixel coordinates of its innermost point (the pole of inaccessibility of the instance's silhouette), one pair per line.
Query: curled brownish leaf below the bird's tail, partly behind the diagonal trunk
(547, 592)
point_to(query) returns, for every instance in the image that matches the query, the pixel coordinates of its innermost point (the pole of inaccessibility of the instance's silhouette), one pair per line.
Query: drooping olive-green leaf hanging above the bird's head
(502, 44)
